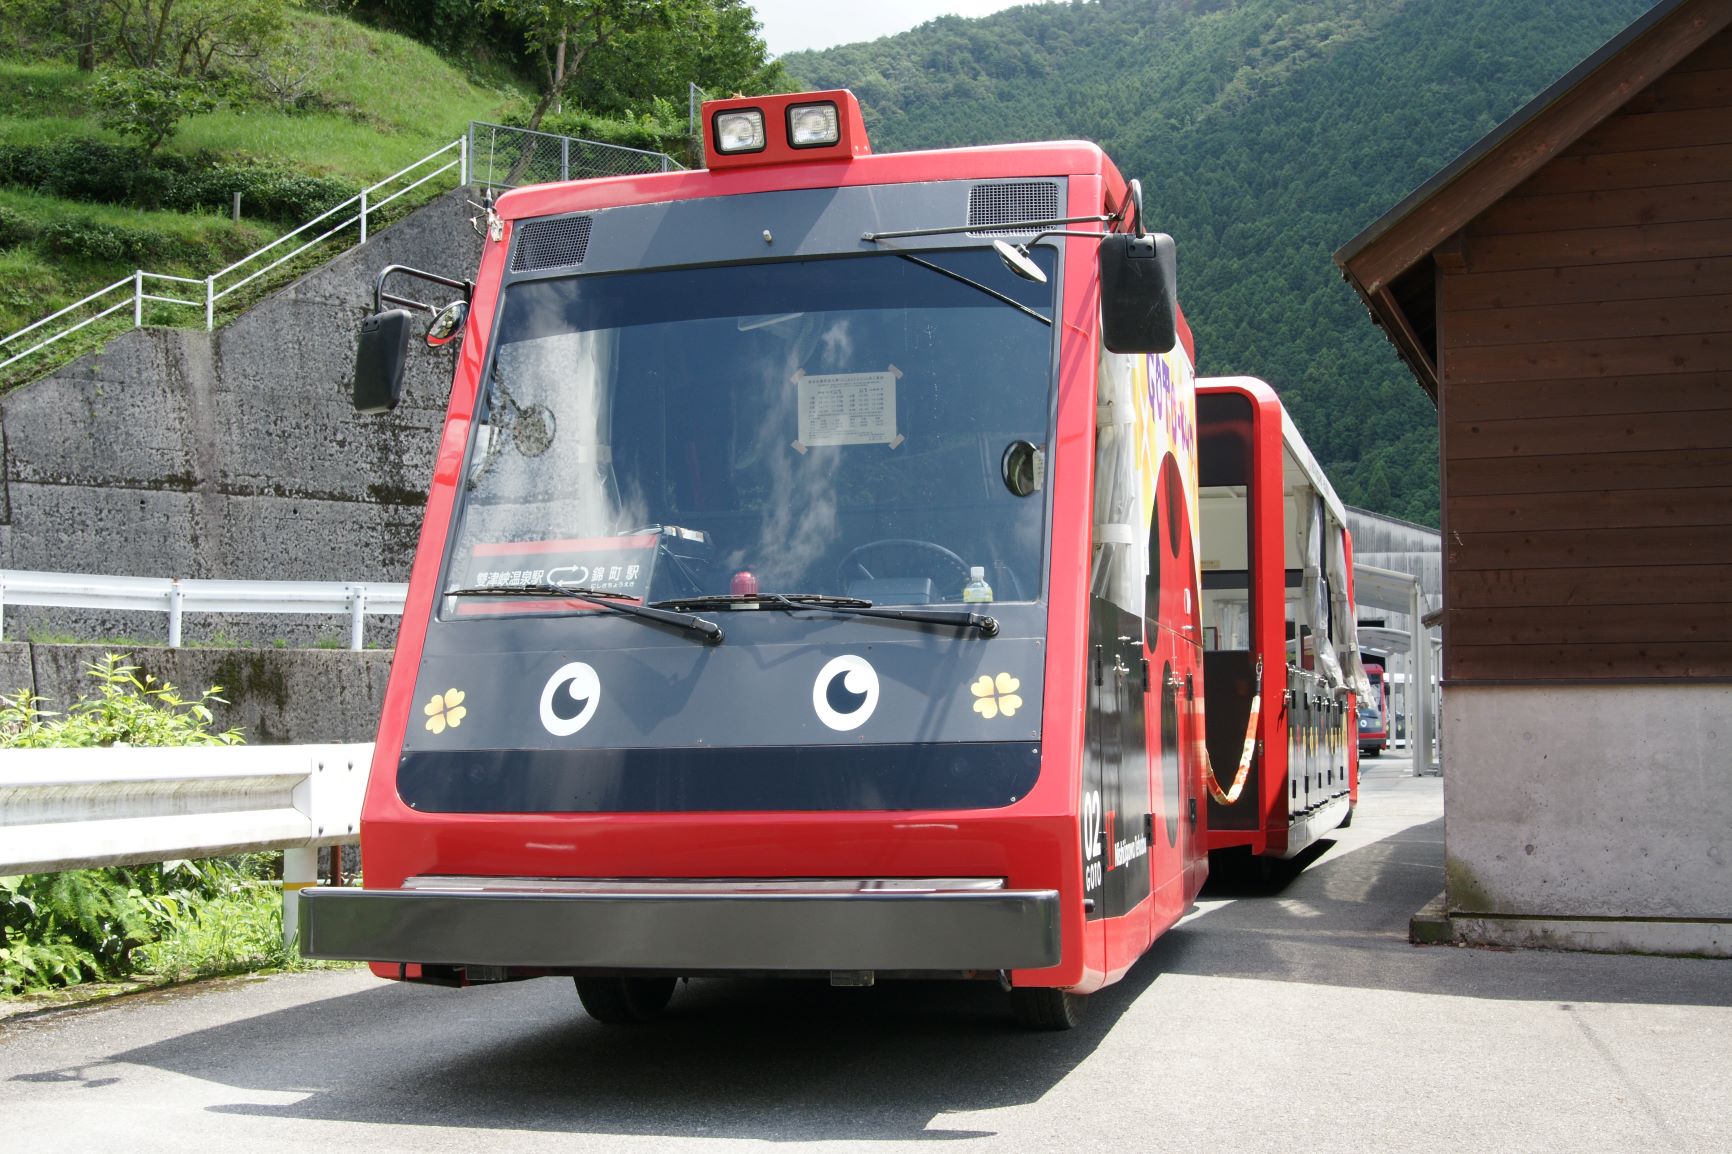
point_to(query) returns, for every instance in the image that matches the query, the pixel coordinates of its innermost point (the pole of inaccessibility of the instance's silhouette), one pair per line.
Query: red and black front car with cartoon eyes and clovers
(751, 628)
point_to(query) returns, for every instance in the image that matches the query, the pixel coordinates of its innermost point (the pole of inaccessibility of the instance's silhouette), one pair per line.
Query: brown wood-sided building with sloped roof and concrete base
(1565, 294)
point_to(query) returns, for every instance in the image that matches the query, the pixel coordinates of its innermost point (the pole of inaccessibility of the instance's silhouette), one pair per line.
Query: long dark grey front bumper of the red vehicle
(683, 928)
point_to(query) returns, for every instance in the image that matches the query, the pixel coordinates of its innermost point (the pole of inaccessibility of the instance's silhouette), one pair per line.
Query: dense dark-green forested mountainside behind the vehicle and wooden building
(1267, 134)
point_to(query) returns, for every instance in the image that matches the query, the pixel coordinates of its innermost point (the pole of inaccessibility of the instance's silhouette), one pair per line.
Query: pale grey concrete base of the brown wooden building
(1591, 817)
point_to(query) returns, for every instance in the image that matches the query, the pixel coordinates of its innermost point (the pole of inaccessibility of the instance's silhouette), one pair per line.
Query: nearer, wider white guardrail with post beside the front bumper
(82, 808)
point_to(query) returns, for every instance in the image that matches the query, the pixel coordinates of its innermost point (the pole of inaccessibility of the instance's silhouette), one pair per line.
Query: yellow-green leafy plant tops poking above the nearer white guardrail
(126, 710)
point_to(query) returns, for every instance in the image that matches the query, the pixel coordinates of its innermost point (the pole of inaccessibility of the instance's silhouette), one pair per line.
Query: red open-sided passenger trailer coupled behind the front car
(1279, 632)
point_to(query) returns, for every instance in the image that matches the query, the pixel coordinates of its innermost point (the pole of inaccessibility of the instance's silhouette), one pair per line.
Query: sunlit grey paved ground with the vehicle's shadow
(1291, 1023)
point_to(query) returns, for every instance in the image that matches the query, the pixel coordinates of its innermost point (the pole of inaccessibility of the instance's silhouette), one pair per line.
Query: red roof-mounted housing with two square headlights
(787, 129)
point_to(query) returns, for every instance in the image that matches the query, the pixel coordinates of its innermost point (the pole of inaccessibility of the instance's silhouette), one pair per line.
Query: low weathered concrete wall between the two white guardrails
(278, 697)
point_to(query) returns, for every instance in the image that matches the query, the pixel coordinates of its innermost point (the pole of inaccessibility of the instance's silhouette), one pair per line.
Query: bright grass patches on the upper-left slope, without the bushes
(378, 103)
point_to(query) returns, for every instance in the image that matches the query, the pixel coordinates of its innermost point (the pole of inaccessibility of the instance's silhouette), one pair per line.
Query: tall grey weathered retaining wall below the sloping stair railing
(179, 453)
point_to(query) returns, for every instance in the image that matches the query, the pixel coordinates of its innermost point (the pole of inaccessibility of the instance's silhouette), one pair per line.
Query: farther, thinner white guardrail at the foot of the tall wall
(179, 597)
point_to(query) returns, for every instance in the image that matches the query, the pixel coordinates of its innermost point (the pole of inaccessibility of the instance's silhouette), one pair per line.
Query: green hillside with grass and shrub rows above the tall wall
(332, 108)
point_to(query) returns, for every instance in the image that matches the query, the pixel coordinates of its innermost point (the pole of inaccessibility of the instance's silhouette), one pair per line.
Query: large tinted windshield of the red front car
(834, 427)
